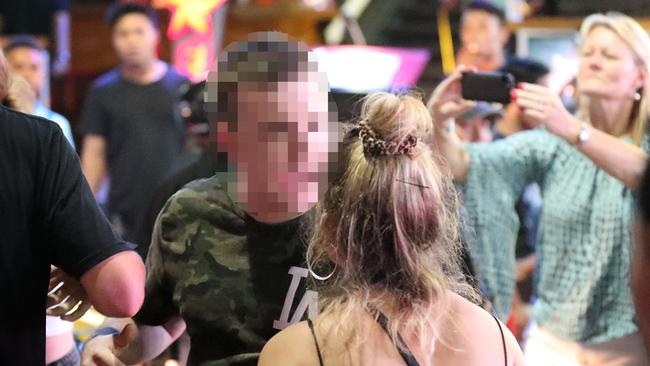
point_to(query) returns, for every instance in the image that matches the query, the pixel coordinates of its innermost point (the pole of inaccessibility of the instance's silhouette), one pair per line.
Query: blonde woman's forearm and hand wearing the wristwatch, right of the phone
(621, 160)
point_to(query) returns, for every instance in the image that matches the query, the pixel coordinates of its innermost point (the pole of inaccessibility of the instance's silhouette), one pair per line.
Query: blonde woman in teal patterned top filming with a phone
(588, 166)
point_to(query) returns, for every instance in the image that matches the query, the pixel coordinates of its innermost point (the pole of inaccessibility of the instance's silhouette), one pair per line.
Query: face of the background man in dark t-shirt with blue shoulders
(135, 39)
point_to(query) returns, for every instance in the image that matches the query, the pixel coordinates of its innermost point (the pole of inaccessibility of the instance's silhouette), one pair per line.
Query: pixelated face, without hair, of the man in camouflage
(282, 147)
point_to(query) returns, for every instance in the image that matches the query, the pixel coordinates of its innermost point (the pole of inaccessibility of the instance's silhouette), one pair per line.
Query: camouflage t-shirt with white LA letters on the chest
(234, 281)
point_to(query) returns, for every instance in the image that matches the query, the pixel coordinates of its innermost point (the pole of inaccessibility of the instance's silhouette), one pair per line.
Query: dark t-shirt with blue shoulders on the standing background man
(144, 134)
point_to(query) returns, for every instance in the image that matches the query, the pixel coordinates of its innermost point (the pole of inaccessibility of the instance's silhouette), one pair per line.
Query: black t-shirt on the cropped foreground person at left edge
(48, 215)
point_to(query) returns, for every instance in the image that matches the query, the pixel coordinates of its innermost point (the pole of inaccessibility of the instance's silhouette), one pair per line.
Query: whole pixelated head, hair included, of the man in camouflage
(276, 124)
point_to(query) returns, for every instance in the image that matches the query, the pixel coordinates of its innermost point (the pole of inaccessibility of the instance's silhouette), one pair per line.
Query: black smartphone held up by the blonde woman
(487, 86)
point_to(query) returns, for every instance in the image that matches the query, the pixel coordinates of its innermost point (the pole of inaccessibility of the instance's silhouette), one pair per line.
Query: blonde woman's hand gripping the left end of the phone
(446, 101)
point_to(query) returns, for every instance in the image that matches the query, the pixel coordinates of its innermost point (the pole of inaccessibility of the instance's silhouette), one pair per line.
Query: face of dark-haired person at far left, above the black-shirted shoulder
(28, 63)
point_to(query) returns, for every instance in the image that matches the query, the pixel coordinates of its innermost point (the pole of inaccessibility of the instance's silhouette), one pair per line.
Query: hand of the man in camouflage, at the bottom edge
(104, 350)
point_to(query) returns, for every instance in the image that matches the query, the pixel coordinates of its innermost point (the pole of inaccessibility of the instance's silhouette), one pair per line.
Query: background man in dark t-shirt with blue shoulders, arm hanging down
(132, 128)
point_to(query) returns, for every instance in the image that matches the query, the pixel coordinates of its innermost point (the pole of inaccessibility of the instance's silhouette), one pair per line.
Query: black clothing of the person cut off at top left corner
(30, 16)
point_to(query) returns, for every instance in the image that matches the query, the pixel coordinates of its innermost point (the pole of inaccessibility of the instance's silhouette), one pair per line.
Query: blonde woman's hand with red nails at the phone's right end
(540, 105)
